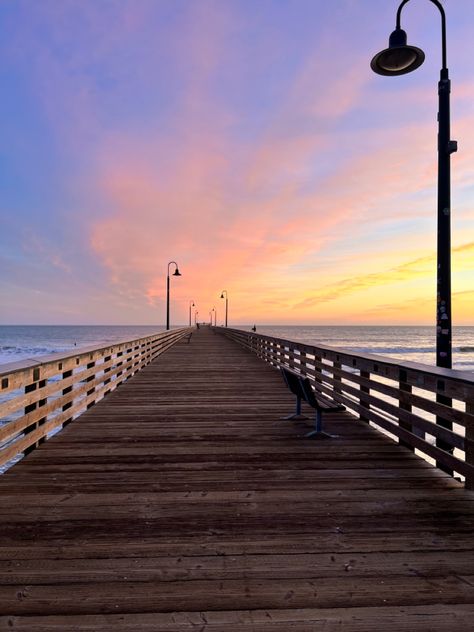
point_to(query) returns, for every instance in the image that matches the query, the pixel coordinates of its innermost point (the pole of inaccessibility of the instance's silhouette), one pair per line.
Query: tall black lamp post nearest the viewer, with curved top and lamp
(398, 59)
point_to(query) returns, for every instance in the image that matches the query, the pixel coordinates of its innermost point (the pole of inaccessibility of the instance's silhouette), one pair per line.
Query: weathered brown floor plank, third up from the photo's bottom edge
(253, 566)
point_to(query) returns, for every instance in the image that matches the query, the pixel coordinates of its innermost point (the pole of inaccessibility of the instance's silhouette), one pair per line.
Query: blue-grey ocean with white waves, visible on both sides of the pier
(416, 344)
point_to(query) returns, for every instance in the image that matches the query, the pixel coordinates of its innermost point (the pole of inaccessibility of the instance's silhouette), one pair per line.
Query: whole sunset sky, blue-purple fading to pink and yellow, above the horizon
(247, 140)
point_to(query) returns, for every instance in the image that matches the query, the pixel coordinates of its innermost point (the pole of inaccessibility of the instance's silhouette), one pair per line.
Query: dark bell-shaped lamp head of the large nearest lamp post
(399, 58)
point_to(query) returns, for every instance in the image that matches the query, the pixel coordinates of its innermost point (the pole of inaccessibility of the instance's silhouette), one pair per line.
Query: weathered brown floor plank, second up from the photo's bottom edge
(127, 596)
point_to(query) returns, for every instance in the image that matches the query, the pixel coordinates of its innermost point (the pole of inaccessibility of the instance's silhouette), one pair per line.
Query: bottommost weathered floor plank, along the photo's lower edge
(439, 618)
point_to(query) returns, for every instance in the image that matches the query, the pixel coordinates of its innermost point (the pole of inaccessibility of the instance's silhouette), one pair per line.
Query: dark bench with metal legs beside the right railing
(300, 385)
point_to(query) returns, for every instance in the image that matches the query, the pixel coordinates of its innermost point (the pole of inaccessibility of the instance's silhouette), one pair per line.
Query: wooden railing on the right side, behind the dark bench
(425, 408)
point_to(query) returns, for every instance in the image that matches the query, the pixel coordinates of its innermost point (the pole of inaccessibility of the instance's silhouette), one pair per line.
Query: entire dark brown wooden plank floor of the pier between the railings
(182, 502)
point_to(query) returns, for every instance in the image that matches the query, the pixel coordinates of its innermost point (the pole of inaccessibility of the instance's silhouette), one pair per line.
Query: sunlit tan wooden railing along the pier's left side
(40, 396)
